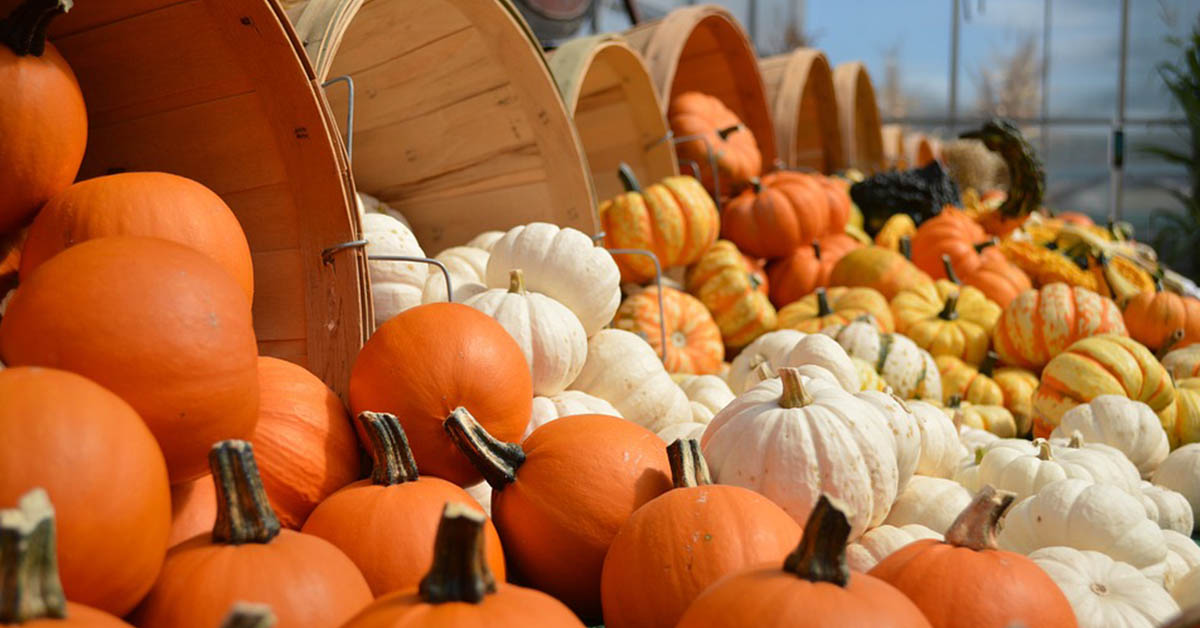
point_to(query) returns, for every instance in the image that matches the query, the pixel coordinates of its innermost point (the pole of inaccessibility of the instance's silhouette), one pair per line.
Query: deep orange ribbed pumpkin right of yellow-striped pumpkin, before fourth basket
(785, 211)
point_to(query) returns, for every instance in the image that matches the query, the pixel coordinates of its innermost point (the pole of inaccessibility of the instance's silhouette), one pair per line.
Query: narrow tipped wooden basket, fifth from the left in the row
(800, 91)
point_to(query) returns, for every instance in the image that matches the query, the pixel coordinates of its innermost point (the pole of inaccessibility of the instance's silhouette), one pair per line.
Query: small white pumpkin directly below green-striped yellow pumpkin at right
(1119, 422)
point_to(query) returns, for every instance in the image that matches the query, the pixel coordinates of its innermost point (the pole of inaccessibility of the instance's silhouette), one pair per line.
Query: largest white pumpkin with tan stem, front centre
(794, 442)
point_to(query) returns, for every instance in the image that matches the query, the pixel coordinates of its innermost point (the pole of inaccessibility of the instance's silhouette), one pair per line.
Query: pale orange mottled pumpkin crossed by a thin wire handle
(694, 342)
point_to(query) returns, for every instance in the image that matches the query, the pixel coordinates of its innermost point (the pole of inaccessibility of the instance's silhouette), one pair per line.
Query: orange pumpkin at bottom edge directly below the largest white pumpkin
(814, 589)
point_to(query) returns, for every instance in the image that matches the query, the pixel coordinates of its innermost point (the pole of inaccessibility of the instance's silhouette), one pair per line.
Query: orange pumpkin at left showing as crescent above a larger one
(141, 204)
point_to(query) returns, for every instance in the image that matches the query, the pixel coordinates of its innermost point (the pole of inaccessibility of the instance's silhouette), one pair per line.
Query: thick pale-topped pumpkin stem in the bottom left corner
(29, 565)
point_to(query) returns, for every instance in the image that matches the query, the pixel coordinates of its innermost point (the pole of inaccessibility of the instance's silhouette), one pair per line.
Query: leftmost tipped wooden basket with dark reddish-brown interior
(219, 92)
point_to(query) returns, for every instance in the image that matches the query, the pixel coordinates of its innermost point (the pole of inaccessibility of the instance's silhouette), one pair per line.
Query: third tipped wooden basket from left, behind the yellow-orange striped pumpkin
(616, 110)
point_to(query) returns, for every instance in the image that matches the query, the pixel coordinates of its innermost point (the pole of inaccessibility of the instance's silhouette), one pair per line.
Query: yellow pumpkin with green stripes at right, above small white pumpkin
(1105, 364)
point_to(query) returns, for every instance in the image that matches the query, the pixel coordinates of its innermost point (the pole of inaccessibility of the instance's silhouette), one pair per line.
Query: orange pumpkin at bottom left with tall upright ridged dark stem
(249, 558)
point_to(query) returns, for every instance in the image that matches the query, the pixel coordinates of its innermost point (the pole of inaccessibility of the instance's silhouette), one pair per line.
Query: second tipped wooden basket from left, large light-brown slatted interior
(458, 121)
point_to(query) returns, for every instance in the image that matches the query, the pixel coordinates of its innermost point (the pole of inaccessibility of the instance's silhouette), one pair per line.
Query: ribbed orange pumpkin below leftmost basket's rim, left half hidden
(304, 442)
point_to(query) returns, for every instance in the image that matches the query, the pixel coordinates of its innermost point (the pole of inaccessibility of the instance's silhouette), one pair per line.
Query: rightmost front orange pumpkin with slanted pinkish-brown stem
(946, 579)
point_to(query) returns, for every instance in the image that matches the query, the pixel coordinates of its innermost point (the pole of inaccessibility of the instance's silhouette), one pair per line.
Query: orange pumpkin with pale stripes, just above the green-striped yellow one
(1041, 325)
